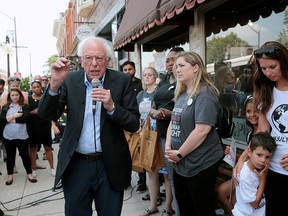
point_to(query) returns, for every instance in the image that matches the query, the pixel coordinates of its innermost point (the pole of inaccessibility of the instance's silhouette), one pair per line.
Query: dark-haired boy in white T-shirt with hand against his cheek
(252, 179)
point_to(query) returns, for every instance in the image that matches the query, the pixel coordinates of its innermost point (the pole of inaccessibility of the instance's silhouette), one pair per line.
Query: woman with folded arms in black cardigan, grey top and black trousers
(14, 116)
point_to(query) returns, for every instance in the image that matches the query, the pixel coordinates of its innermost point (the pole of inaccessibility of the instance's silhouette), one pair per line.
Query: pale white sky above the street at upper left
(34, 26)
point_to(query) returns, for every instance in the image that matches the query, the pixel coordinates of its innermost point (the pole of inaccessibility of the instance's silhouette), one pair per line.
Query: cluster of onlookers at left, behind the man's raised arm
(22, 129)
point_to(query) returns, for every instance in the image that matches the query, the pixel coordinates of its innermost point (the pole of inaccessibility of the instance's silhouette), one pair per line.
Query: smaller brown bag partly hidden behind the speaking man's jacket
(134, 142)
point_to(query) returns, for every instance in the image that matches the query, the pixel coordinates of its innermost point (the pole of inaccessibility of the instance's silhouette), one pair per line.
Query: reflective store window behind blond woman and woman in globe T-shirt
(228, 57)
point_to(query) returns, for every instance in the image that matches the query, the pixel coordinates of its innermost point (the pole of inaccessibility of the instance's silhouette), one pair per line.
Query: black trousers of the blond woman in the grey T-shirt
(196, 195)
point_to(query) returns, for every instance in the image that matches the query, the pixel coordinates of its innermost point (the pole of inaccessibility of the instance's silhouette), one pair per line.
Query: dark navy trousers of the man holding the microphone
(86, 181)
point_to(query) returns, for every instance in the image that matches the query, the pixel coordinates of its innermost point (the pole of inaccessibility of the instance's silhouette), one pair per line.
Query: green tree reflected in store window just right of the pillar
(219, 47)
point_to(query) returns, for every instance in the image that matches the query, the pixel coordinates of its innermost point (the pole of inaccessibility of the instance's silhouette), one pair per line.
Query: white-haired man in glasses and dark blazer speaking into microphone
(94, 161)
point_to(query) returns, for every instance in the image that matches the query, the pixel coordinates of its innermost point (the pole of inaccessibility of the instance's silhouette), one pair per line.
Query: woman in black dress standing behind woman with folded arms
(39, 130)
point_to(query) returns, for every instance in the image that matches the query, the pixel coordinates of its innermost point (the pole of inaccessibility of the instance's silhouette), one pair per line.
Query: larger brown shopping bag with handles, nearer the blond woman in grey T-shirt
(151, 155)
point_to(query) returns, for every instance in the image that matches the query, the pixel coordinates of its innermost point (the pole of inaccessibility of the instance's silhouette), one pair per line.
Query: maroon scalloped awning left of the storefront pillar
(142, 15)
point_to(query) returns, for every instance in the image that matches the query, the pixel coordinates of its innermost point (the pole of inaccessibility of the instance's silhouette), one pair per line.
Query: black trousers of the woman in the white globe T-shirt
(276, 187)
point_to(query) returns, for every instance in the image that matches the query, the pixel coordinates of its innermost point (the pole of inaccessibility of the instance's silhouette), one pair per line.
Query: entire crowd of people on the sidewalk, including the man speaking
(95, 166)
